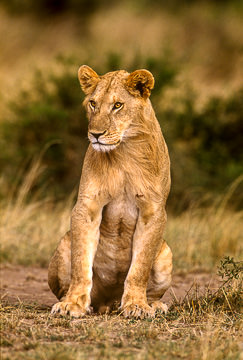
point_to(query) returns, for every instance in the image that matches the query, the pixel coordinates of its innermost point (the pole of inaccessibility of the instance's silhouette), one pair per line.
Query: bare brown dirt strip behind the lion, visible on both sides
(29, 285)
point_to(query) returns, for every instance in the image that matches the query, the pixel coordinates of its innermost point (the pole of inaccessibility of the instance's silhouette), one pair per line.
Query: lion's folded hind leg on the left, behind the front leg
(59, 271)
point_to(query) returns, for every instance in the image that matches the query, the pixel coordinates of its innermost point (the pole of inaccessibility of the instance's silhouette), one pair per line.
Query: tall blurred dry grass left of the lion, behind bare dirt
(30, 230)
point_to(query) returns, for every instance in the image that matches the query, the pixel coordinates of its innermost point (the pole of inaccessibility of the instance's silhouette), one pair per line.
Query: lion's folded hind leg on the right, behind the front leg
(160, 279)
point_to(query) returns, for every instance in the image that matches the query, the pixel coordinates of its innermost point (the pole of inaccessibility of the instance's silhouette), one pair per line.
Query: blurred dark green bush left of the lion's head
(50, 113)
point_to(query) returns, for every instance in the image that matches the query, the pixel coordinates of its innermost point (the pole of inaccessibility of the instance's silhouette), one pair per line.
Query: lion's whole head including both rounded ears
(112, 102)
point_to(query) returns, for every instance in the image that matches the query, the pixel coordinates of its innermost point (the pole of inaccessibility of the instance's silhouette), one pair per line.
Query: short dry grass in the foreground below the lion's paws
(199, 328)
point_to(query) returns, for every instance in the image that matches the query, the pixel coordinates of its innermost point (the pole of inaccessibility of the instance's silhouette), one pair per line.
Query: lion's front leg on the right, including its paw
(146, 243)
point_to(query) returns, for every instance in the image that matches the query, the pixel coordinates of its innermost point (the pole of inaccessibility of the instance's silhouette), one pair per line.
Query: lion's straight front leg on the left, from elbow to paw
(85, 223)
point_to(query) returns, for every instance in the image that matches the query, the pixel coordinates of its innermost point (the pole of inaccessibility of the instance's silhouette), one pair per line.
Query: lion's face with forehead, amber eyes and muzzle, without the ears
(109, 113)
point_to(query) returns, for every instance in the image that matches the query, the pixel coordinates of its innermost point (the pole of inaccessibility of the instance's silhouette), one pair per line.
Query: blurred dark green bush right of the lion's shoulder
(206, 145)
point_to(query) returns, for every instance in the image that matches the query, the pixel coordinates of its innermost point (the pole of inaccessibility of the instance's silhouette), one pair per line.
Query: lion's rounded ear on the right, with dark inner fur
(140, 83)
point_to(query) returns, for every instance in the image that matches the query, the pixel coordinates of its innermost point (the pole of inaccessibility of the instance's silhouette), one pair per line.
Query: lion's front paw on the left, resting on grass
(69, 308)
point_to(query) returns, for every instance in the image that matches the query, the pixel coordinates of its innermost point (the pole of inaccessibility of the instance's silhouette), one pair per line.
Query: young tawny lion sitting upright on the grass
(115, 251)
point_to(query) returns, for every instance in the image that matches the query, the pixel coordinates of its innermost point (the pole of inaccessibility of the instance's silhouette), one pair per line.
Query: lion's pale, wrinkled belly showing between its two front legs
(114, 252)
